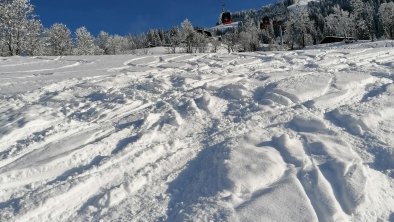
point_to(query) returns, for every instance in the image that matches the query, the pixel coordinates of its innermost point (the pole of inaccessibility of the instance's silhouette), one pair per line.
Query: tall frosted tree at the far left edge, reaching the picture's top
(14, 22)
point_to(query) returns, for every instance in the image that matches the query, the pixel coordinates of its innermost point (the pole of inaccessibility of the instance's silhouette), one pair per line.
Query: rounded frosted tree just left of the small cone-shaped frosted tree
(59, 40)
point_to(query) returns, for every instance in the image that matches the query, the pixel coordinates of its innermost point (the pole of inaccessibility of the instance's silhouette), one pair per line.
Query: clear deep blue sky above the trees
(135, 16)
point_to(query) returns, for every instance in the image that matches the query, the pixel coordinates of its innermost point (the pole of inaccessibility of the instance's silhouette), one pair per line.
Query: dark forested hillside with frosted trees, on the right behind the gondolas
(307, 25)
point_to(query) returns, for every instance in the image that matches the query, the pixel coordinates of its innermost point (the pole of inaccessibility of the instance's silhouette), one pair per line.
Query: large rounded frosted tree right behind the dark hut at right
(340, 23)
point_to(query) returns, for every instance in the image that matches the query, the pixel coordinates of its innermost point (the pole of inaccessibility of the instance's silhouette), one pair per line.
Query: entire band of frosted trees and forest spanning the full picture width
(22, 33)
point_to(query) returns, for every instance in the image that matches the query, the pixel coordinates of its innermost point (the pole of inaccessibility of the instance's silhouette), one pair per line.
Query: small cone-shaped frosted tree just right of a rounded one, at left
(85, 43)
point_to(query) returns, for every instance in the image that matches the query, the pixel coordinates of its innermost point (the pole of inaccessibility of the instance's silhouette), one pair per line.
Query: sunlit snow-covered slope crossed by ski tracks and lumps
(277, 136)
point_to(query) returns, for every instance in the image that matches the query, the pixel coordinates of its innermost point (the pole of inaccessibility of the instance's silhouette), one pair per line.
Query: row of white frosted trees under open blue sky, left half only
(22, 33)
